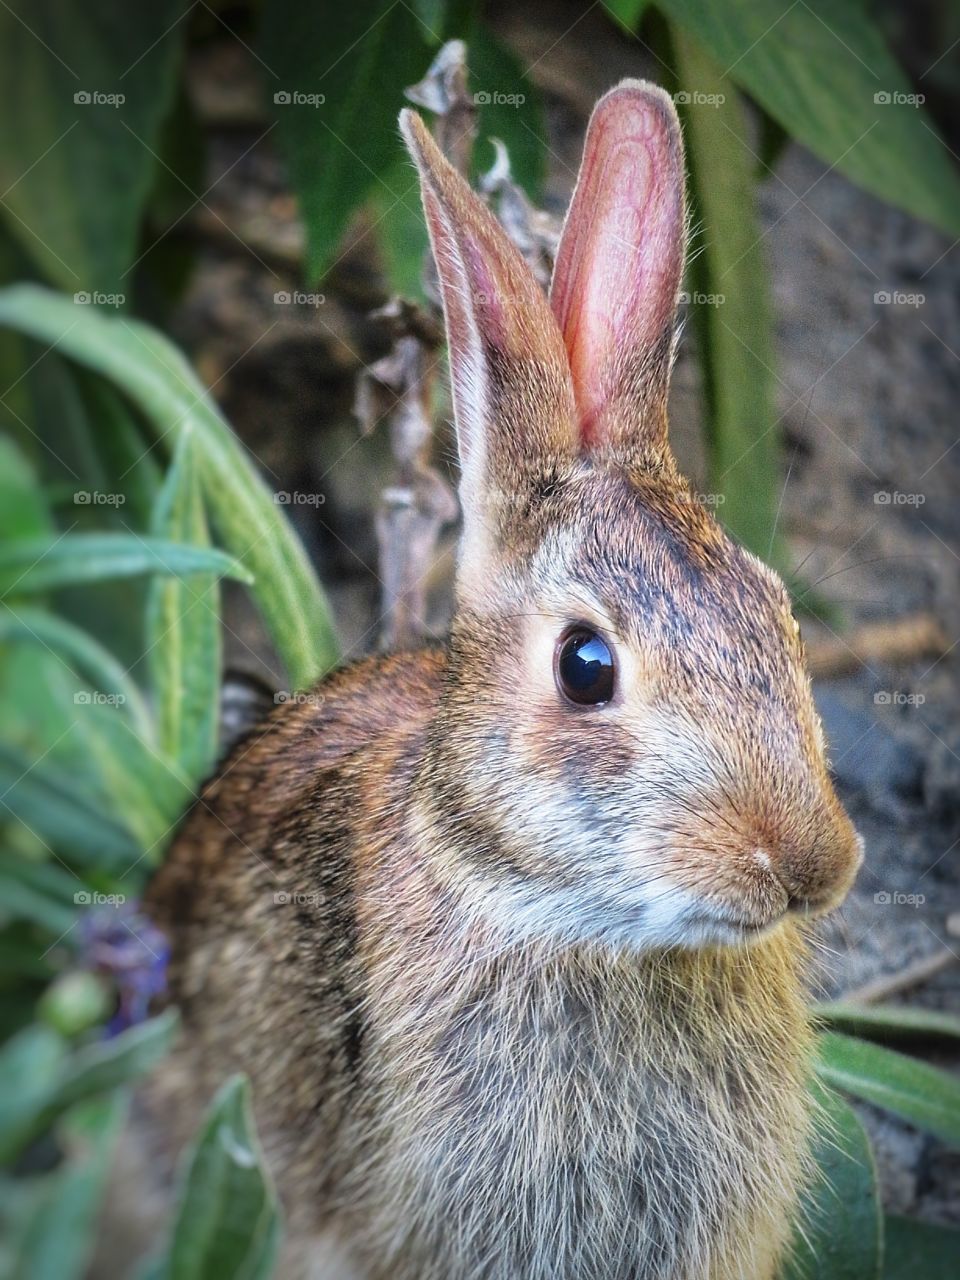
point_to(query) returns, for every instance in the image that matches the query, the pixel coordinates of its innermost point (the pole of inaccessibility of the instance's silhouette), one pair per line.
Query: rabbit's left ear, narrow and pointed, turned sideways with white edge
(513, 395)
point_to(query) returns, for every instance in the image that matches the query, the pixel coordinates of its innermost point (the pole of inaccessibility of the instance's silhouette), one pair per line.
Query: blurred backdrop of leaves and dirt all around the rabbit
(226, 465)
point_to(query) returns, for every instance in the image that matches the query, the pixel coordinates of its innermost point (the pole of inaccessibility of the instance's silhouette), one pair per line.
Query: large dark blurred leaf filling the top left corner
(76, 173)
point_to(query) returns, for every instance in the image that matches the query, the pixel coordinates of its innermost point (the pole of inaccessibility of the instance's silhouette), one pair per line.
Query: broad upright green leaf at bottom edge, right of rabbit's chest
(840, 1229)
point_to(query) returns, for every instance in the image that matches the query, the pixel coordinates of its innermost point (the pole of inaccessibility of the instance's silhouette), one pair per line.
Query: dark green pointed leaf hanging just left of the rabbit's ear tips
(358, 58)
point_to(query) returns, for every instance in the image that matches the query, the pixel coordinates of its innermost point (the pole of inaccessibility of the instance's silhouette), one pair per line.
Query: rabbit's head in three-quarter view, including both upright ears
(627, 747)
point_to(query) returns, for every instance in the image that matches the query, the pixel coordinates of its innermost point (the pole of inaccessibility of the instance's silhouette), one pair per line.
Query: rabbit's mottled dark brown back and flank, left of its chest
(258, 898)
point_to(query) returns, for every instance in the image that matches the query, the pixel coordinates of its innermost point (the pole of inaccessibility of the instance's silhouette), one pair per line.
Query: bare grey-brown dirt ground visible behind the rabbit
(868, 395)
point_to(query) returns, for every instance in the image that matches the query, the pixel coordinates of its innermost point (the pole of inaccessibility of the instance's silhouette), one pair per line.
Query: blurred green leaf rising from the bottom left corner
(57, 1236)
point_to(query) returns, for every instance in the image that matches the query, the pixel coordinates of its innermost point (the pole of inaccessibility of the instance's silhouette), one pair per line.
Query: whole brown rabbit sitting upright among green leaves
(508, 935)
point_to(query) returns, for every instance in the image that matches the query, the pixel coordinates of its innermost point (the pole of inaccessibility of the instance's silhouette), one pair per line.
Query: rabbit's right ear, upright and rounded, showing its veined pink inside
(619, 271)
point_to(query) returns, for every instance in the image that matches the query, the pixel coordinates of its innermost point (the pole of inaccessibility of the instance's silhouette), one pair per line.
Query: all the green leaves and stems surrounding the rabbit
(104, 747)
